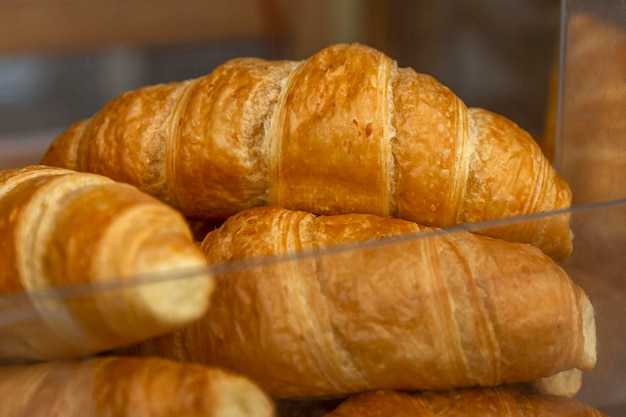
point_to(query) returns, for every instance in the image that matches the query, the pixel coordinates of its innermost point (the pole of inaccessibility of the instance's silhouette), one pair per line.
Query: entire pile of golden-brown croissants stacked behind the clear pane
(279, 236)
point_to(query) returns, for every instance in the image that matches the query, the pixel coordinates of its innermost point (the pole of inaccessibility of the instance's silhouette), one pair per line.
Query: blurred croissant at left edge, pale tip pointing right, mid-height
(88, 264)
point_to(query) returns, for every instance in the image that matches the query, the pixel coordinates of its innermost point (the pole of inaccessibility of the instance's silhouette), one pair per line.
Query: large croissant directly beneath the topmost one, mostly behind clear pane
(430, 311)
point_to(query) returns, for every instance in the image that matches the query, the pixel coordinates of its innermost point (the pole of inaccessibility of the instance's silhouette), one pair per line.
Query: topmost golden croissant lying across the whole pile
(343, 131)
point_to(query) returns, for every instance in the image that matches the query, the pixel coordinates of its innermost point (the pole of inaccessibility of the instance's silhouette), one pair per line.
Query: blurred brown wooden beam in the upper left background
(53, 25)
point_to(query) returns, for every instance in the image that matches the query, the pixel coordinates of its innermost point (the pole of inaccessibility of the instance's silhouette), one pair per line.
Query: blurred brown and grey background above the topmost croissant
(62, 60)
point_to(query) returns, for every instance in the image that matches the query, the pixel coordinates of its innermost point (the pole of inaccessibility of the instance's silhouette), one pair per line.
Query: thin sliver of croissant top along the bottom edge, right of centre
(484, 402)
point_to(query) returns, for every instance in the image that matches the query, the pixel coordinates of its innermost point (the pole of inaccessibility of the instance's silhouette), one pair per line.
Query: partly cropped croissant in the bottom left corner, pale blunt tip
(124, 387)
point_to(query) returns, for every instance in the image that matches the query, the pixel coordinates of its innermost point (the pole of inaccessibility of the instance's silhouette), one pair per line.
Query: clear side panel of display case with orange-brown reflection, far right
(590, 156)
